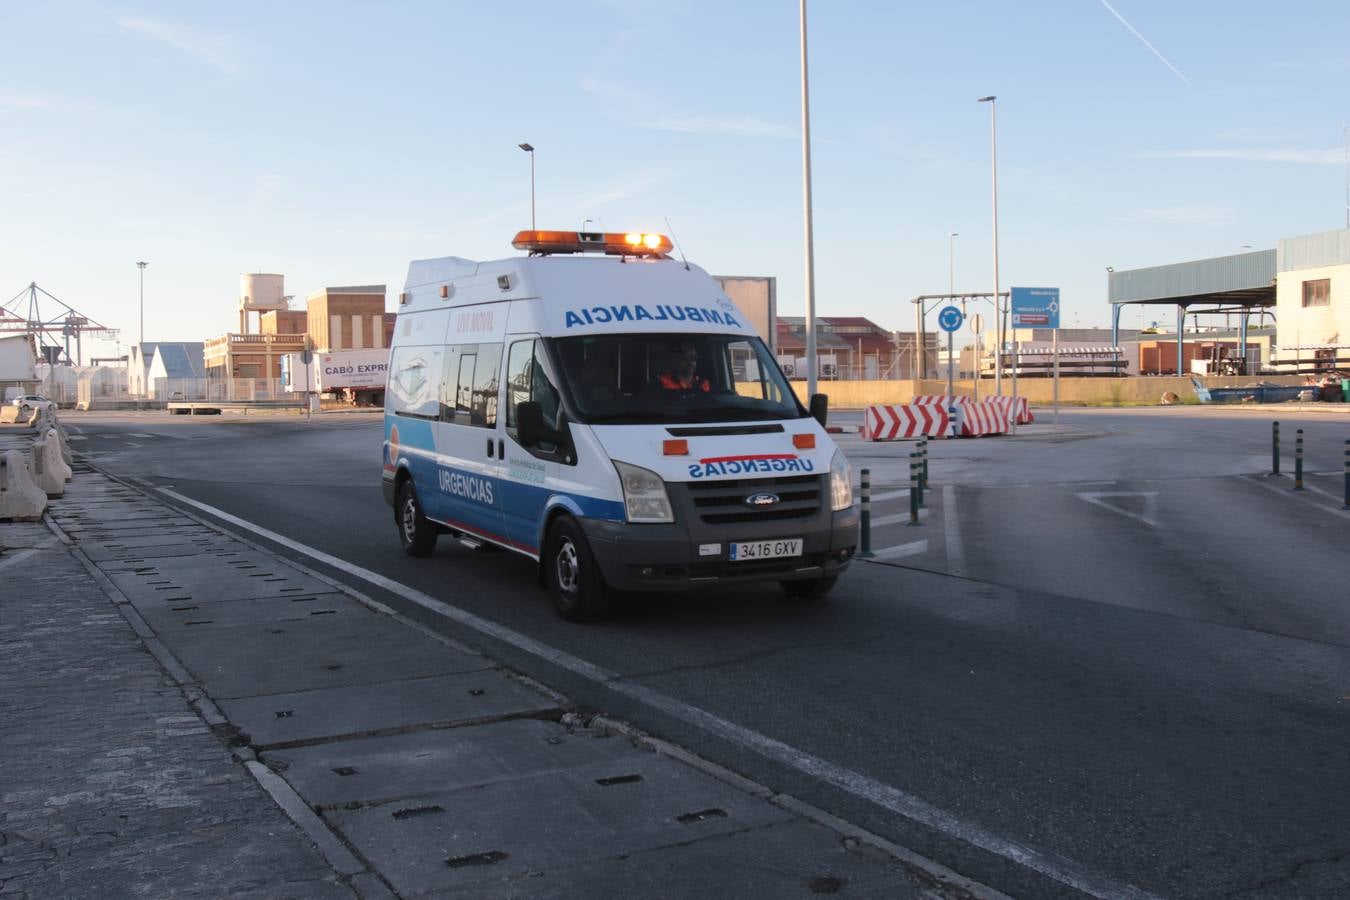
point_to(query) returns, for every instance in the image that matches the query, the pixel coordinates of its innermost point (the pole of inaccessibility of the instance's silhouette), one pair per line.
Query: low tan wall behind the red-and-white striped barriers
(1094, 392)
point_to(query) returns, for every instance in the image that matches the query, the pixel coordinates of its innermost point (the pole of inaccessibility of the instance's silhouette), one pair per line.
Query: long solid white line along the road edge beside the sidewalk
(884, 795)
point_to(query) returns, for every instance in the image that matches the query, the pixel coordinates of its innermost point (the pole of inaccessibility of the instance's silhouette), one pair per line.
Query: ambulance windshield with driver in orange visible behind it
(655, 378)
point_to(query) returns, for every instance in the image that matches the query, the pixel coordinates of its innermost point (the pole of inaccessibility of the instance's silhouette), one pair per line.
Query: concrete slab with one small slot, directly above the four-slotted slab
(379, 771)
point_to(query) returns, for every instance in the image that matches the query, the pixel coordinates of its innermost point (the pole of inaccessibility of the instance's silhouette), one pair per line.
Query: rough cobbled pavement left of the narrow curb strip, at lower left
(111, 783)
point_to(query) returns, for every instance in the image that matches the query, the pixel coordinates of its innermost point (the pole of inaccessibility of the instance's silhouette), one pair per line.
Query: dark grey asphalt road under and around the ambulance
(1113, 658)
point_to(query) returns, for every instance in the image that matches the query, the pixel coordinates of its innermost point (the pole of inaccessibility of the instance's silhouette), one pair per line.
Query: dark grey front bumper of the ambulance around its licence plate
(693, 553)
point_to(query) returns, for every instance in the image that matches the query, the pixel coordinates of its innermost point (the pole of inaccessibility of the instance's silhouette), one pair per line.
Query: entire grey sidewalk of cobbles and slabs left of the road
(188, 716)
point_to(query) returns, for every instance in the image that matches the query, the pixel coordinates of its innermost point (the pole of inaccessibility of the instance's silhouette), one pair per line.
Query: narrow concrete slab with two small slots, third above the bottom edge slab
(388, 708)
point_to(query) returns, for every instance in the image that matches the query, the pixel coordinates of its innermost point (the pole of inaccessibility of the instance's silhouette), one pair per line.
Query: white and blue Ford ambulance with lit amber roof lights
(608, 412)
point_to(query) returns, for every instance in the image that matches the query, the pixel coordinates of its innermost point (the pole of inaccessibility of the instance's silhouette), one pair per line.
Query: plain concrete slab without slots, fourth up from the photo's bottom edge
(325, 652)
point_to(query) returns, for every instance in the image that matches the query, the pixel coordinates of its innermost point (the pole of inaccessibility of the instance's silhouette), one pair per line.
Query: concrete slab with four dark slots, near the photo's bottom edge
(468, 841)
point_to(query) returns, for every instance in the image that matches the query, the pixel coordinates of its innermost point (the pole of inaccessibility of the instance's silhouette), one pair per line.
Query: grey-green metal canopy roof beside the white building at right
(1241, 281)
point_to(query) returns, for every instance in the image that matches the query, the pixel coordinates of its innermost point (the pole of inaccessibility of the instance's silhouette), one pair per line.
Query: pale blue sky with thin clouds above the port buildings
(334, 142)
